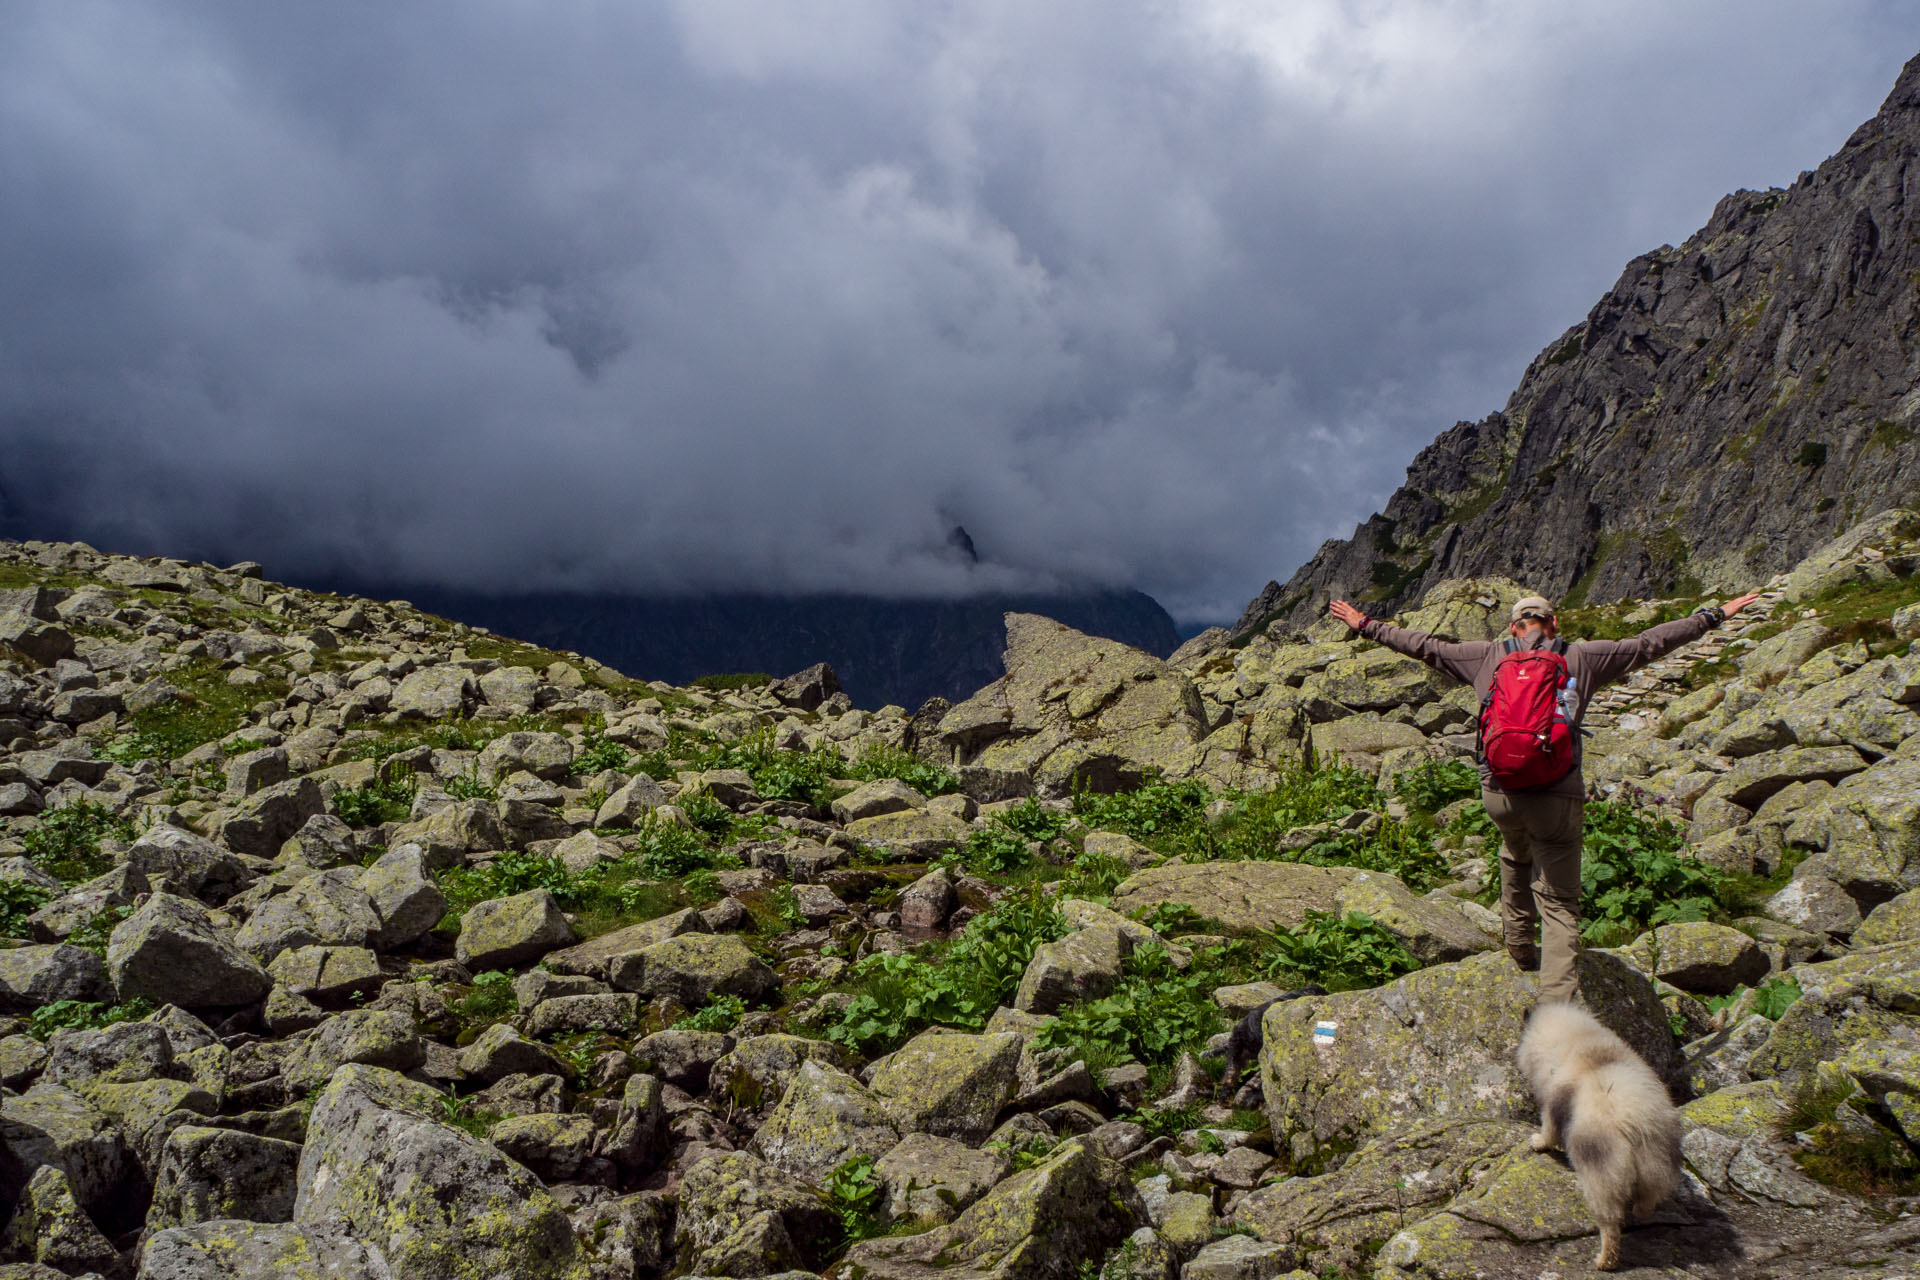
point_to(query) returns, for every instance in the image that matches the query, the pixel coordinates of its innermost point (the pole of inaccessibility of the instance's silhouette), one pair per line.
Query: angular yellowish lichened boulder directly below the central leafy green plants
(949, 1085)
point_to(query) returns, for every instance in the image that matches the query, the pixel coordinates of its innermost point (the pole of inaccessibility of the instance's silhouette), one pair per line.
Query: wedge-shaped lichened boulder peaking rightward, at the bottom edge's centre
(1036, 1225)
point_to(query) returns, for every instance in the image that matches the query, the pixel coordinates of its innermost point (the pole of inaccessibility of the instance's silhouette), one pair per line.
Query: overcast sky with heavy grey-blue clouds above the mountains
(771, 296)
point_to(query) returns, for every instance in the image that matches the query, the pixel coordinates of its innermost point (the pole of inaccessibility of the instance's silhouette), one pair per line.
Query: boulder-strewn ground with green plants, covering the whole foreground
(347, 941)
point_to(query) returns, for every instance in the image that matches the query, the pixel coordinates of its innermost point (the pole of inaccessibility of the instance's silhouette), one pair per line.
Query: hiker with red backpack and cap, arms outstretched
(1533, 698)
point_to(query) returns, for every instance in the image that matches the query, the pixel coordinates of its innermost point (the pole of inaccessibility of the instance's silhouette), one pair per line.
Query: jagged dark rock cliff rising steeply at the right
(1723, 410)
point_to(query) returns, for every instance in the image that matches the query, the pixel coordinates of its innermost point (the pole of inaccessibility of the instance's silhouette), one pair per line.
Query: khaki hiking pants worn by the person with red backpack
(1541, 882)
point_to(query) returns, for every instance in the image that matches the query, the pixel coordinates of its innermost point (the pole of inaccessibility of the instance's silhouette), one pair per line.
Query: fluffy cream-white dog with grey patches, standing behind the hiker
(1608, 1110)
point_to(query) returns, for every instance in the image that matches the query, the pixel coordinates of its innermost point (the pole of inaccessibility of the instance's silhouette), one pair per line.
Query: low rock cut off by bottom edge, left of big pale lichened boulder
(235, 1250)
